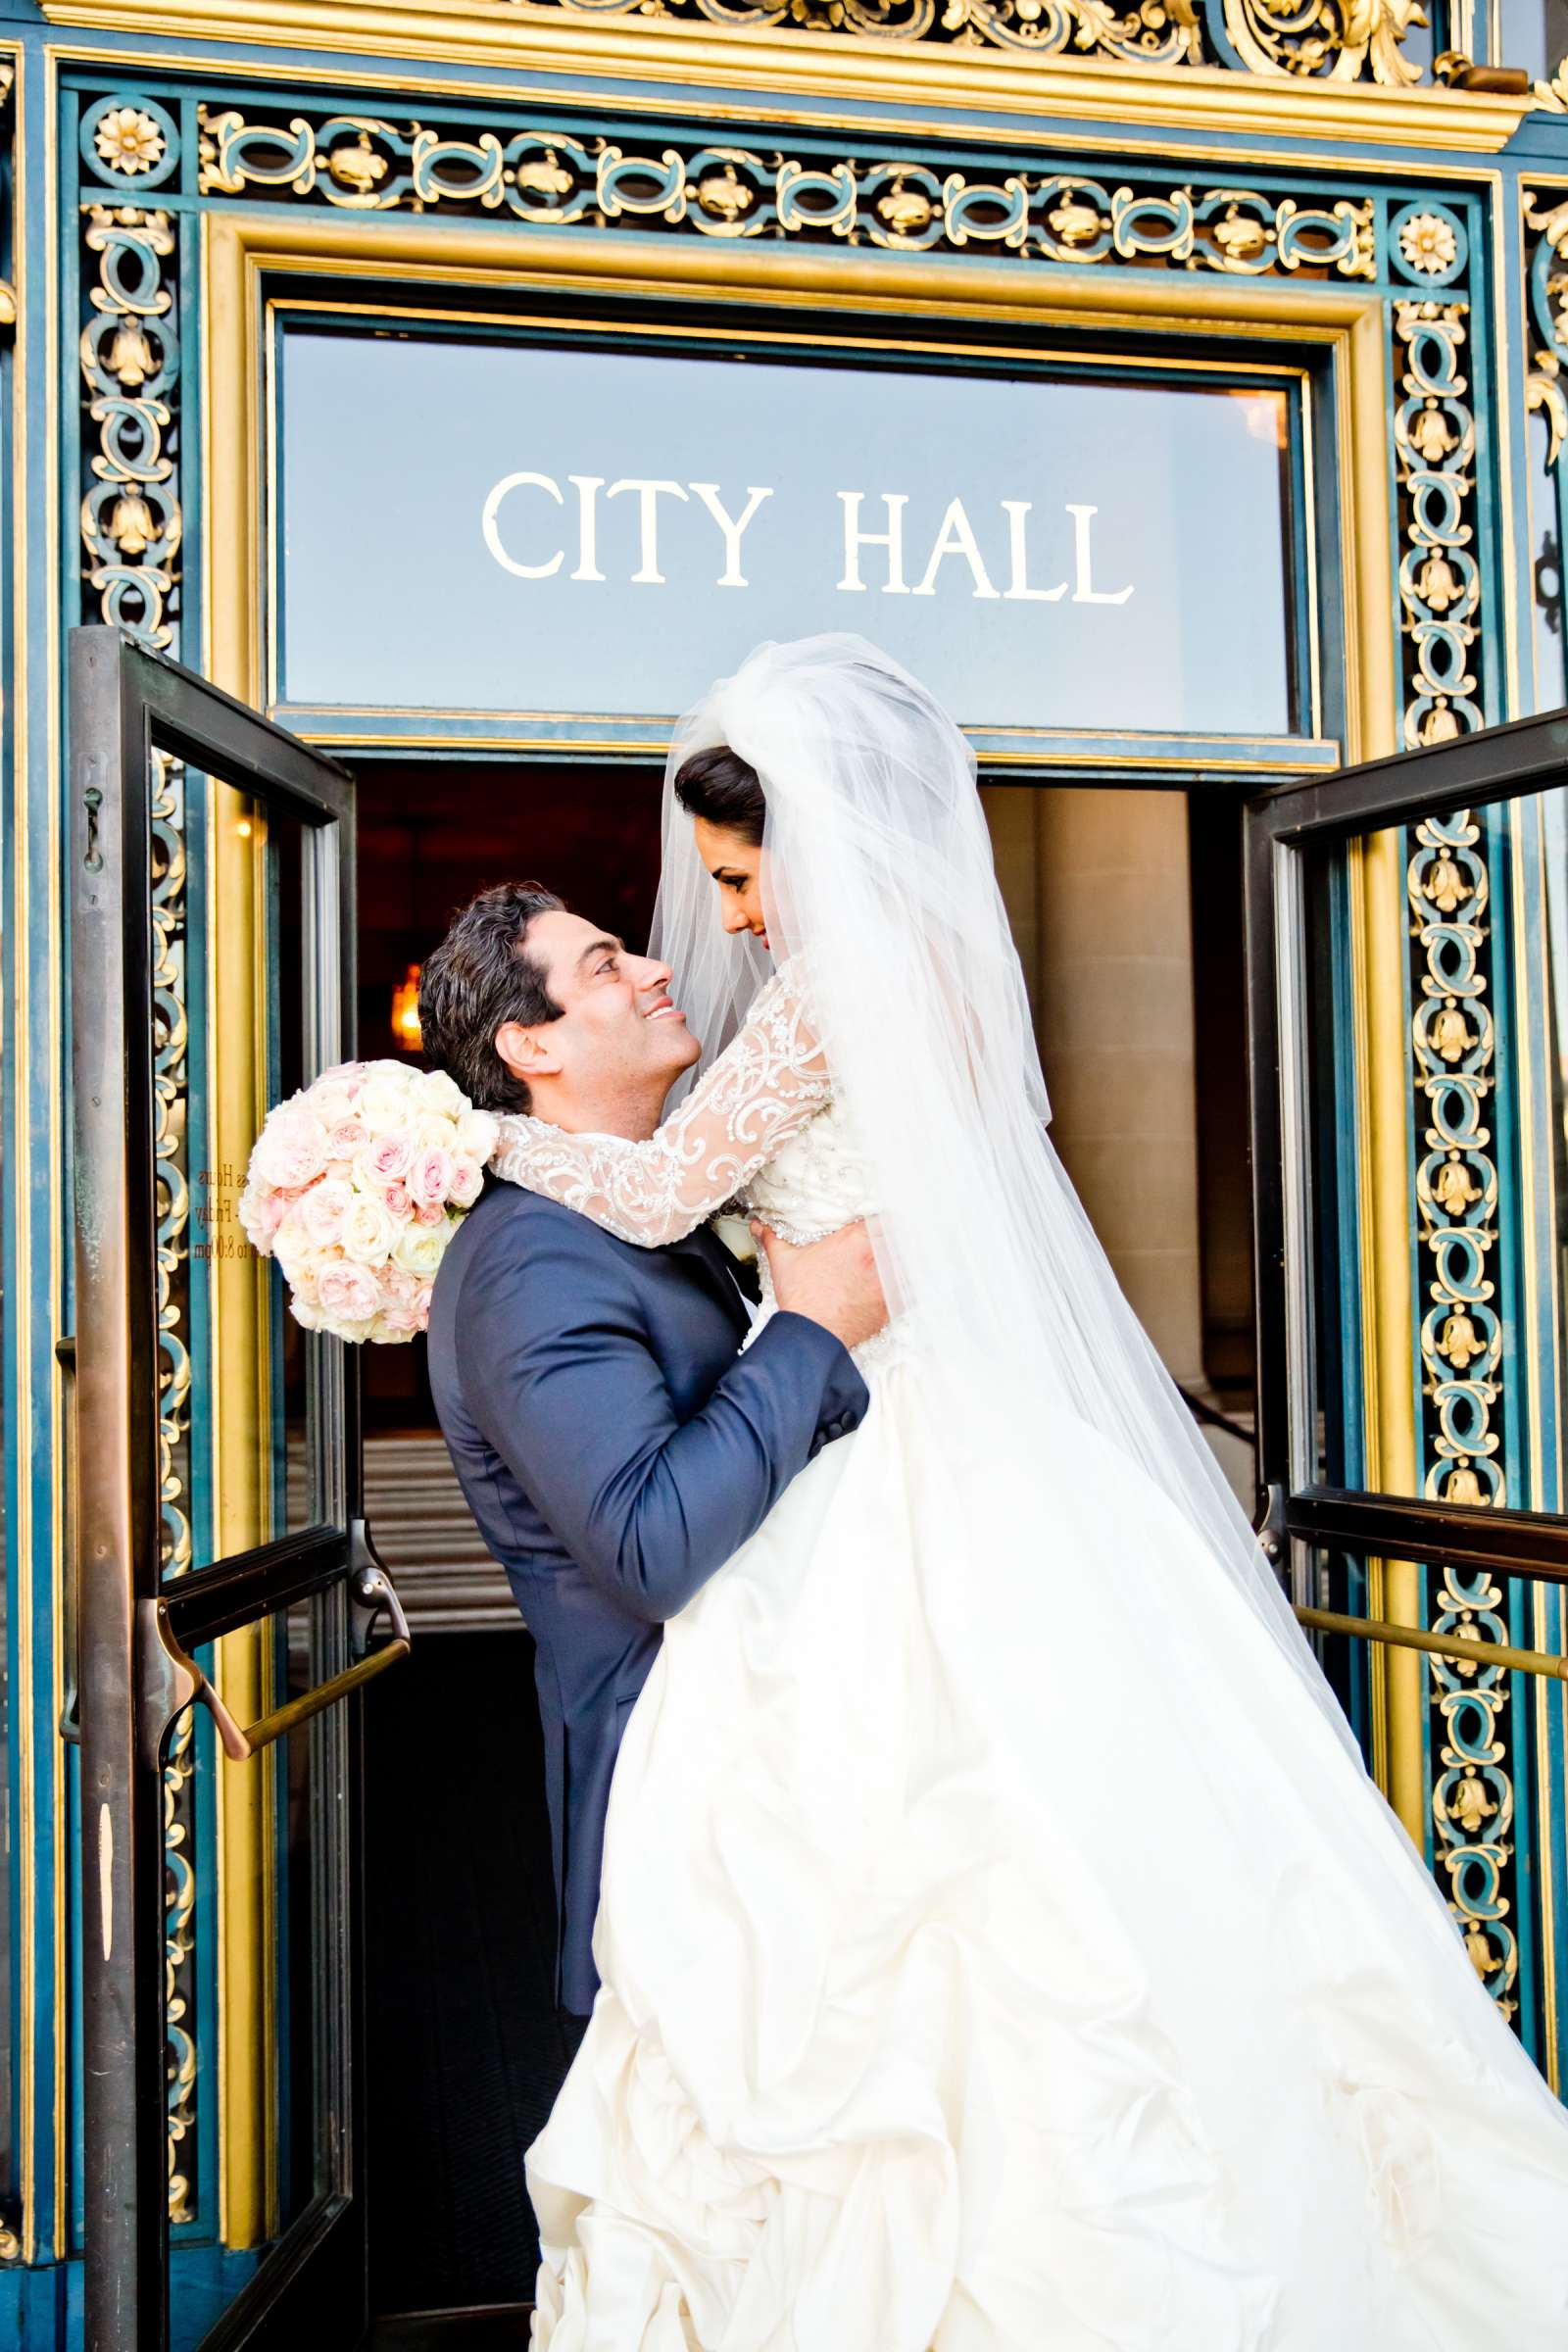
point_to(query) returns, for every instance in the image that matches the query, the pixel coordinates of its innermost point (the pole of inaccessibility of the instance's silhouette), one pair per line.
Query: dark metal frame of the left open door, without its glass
(135, 1631)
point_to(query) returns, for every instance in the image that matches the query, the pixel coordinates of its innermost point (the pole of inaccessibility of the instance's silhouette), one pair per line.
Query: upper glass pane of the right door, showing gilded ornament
(1440, 998)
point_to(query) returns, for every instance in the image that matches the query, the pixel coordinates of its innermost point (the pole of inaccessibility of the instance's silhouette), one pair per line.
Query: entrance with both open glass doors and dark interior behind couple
(225, 1563)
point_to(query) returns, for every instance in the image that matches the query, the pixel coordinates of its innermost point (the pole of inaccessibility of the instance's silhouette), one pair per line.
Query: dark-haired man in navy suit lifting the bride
(612, 1441)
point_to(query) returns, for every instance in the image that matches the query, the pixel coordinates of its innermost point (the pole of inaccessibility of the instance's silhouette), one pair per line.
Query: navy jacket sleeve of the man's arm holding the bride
(561, 1379)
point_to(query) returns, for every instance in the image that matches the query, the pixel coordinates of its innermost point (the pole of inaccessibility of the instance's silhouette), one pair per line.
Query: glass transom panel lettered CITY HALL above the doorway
(615, 528)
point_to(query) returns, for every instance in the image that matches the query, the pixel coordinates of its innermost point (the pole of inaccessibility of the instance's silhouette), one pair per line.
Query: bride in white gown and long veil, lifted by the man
(1003, 1944)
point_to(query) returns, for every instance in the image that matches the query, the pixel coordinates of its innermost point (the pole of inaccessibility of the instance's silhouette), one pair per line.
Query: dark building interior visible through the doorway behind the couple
(1127, 911)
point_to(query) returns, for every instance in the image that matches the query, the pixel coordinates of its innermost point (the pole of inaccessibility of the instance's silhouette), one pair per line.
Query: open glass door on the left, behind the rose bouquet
(227, 1589)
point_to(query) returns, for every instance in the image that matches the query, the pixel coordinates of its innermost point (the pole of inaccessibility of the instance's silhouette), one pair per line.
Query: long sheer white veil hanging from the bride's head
(880, 878)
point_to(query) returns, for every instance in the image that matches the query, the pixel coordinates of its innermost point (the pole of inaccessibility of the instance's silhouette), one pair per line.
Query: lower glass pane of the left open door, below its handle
(262, 2085)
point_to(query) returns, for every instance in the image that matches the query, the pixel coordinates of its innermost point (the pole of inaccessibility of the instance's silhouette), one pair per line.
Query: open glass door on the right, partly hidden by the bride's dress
(1409, 1031)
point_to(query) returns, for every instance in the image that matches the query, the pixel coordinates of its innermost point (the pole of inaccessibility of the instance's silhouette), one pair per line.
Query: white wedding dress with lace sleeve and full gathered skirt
(1040, 1989)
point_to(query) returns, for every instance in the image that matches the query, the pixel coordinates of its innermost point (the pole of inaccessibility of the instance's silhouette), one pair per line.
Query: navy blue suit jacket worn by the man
(615, 1450)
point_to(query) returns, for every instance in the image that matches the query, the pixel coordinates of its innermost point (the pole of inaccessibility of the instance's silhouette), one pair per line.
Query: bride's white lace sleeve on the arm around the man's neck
(758, 1093)
